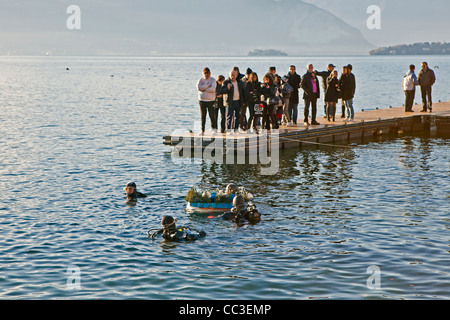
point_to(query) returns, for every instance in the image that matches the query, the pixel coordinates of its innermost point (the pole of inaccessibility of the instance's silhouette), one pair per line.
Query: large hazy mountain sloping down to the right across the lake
(176, 27)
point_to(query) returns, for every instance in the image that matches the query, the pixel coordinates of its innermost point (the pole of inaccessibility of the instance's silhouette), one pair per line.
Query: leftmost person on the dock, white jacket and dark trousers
(207, 96)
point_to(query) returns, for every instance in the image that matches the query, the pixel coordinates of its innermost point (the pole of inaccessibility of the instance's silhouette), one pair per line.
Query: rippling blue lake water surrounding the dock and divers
(71, 139)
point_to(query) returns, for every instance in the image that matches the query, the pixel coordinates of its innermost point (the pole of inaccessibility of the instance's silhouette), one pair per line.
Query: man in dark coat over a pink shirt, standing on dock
(311, 88)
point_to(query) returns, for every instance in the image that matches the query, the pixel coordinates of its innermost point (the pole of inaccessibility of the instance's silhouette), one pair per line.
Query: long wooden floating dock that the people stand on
(366, 124)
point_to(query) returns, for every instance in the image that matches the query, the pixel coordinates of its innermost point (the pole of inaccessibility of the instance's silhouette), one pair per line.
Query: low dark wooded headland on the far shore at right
(414, 49)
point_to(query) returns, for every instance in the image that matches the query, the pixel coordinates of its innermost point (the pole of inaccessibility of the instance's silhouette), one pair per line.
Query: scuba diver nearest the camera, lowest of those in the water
(170, 231)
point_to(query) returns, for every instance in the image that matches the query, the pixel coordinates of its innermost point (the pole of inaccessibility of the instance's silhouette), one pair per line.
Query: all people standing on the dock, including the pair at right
(274, 101)
